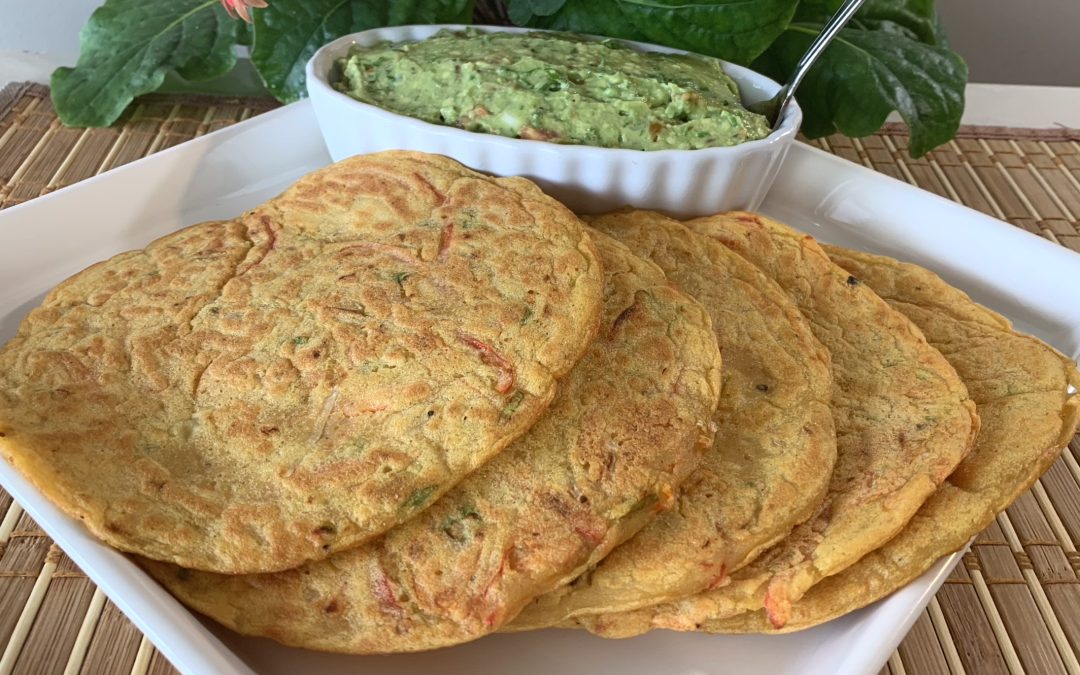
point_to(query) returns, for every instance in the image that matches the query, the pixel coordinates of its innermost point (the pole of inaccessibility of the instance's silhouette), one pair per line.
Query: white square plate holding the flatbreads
(219, 177)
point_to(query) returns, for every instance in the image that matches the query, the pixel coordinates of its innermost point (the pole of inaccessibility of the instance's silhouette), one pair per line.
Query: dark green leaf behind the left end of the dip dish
(289, 32)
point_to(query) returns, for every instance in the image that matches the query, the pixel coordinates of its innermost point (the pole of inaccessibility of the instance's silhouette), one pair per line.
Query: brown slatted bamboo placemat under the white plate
(1014, 606)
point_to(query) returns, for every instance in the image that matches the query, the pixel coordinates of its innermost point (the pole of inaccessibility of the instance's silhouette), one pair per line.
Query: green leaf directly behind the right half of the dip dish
(737, 31)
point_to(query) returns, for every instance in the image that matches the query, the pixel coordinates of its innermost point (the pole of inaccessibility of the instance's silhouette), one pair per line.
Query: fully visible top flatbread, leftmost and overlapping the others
(248, 396)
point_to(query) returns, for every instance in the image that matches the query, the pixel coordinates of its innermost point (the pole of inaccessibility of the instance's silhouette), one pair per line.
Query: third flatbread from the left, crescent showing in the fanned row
(775, 448)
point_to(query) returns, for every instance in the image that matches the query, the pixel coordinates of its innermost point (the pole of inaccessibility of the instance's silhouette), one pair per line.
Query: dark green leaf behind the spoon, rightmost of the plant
(867, 74)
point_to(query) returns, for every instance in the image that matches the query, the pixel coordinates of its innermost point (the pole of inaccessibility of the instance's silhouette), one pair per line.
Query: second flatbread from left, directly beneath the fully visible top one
(630, 422)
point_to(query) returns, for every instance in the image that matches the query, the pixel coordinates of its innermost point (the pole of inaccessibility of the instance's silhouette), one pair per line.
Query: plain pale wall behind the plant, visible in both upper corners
(1005, 42)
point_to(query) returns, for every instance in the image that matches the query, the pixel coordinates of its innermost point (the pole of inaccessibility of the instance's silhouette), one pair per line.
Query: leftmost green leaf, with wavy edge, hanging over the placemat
(127, 48)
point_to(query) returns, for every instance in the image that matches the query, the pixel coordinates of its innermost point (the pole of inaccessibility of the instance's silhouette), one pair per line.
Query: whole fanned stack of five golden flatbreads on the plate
(404, 406)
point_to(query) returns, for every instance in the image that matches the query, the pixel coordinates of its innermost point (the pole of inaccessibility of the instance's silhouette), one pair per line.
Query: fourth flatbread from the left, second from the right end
(904, 421)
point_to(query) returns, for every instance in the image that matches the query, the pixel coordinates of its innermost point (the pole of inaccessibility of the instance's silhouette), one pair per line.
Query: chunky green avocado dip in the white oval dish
(553, 87)
